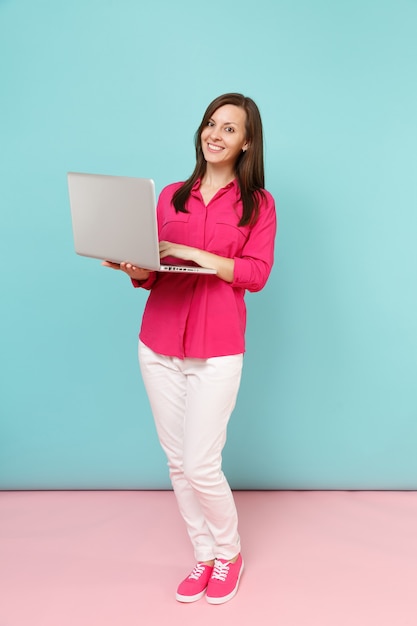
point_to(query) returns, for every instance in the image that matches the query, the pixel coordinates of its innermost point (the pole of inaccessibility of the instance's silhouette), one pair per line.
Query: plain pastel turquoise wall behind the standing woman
(328, 399)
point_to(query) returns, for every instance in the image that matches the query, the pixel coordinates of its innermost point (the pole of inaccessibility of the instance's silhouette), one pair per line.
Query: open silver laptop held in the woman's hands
(114, 219)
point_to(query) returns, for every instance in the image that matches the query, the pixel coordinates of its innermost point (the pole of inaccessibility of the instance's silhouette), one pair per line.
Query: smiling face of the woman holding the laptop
(224, 137)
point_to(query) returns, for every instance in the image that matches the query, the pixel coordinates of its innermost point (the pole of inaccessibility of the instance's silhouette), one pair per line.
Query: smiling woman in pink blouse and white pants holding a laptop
(191, 342)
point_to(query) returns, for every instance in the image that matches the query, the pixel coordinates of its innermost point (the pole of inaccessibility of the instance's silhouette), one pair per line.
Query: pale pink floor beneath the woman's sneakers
(115, 558)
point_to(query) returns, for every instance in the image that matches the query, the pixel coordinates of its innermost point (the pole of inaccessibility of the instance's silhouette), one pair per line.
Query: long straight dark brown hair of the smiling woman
(249, 167)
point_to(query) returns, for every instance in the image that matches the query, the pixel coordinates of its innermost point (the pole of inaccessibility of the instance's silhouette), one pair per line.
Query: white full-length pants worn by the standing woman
(191, 401)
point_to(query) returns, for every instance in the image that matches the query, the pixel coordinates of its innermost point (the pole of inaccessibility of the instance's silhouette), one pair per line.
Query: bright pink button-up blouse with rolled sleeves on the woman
(201, 315)
